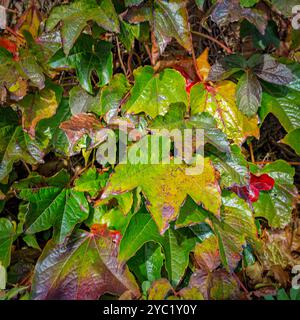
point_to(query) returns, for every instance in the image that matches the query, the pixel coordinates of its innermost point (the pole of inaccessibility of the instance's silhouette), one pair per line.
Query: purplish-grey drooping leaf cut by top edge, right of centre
(228, 11)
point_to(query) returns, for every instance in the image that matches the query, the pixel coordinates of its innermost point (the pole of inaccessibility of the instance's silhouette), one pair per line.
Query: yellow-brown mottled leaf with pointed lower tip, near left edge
(37, 106)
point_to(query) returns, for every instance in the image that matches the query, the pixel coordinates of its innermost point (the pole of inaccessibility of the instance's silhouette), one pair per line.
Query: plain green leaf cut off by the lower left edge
(7, 234)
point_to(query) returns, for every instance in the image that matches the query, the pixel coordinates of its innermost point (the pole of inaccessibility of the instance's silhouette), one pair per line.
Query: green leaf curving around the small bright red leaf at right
(277, 205)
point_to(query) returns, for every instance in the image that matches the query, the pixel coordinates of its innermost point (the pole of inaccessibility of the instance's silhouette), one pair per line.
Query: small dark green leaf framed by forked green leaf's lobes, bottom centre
(147, 262)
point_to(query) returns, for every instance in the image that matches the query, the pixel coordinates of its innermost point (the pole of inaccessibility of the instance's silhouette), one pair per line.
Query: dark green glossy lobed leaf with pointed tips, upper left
(86, 56)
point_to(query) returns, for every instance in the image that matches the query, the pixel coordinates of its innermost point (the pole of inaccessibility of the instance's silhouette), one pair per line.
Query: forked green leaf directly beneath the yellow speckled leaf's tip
(176, 244)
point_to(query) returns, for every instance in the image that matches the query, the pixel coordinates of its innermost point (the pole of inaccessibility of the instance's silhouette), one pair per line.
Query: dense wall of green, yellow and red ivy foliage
(73, 73)
